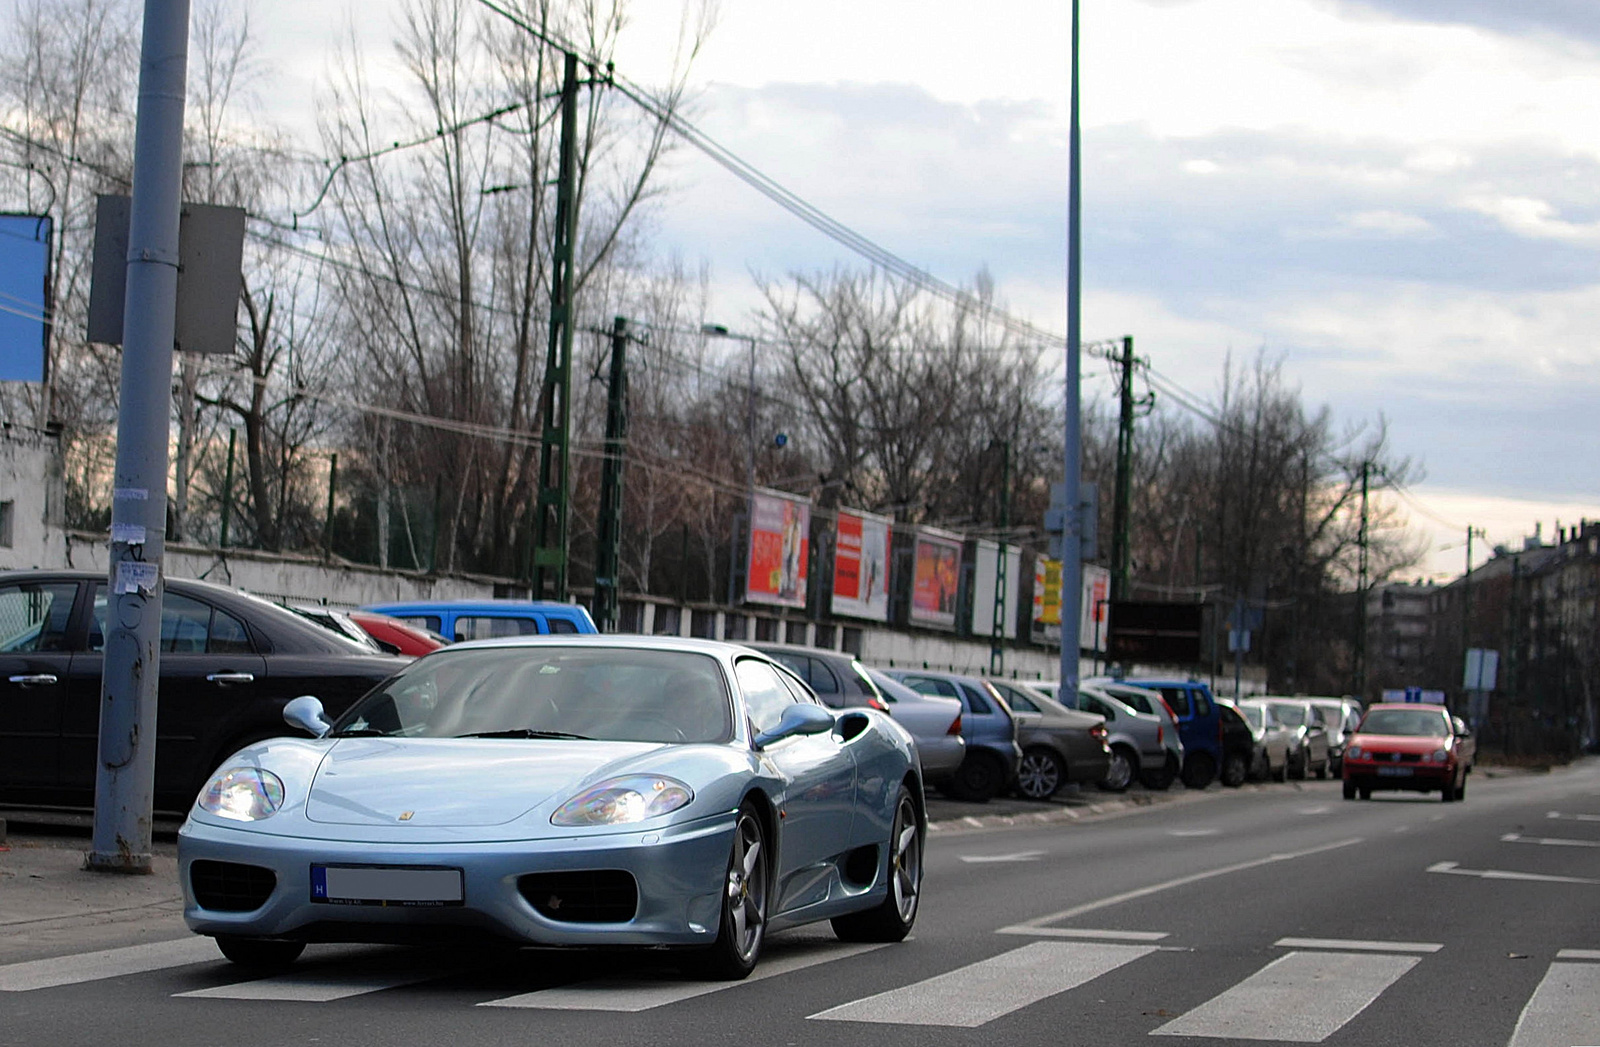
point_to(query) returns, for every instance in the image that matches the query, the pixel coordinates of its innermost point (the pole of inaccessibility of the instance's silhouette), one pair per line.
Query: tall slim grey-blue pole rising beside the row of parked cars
(1073, 438)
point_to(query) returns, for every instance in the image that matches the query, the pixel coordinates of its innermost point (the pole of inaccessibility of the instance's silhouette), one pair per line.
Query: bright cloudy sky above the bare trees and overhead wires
(1399, 199)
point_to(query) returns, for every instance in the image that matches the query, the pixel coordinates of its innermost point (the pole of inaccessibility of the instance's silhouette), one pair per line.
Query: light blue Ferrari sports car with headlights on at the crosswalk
(564, 792)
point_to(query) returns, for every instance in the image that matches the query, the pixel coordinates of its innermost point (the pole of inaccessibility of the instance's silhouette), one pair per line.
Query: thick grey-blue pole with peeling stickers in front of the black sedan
(126, 777)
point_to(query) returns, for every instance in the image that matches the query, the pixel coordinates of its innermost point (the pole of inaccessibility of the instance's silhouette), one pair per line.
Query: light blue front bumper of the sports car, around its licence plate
(681, 875)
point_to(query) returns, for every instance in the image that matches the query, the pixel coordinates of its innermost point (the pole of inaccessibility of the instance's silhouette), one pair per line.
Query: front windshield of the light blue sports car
(612, 694)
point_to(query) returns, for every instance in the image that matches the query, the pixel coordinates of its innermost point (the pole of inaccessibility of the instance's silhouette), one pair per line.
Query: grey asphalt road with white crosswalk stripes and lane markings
(1265, 915)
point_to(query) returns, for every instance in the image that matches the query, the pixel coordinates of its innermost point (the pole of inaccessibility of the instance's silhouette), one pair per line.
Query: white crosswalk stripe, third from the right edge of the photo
(978, 993)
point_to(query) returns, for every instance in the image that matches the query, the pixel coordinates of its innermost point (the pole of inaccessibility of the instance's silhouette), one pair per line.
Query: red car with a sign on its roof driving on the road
(1409, 747)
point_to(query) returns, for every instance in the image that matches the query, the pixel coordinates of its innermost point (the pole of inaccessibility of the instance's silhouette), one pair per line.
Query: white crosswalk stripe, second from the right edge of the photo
(1302, 998)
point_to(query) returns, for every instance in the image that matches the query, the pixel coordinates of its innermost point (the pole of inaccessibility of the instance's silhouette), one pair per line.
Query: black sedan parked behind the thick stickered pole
(230, 664)
